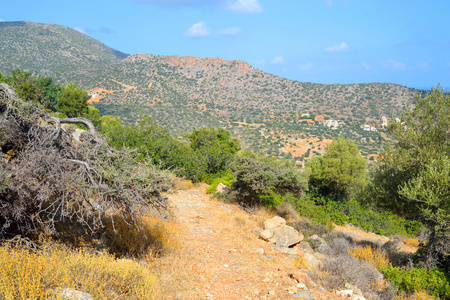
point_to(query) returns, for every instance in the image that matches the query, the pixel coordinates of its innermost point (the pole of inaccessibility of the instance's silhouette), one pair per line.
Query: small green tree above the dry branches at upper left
(72, 100)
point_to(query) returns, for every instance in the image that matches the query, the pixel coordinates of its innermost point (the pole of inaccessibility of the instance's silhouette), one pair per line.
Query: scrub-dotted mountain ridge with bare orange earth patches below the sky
(268, 113)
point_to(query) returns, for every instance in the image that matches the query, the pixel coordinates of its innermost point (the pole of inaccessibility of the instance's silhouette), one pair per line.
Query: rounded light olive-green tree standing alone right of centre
(340, 171)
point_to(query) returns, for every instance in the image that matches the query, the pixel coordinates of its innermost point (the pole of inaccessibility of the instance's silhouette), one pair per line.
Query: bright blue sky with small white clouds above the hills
(321, 41)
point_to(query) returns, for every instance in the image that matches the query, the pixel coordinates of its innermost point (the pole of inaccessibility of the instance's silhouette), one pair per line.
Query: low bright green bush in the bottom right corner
(433, 281)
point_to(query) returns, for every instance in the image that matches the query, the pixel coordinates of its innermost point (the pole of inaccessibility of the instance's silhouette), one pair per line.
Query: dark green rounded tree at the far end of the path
(215, 149)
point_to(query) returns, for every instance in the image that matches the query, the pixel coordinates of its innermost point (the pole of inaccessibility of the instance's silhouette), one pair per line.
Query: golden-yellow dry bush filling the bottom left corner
(27, 275)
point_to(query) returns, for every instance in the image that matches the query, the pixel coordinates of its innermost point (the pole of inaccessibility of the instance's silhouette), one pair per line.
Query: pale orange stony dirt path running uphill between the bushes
(226, 258)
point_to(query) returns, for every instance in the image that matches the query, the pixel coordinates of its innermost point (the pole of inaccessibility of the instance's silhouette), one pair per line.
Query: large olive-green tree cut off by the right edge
(412, 178)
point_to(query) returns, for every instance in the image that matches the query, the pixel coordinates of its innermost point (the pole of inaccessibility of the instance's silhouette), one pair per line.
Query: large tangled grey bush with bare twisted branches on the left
(53, 181)
